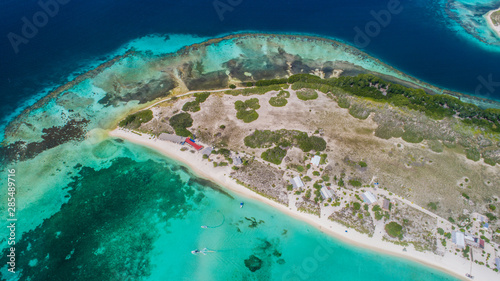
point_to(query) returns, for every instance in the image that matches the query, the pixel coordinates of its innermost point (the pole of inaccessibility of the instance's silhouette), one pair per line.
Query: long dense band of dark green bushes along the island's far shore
(378, 89)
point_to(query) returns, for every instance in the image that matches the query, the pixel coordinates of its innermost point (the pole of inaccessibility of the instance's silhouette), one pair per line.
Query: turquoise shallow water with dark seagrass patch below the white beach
(139, 216)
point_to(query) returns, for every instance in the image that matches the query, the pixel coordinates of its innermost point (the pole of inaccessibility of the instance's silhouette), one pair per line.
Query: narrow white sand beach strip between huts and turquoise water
(449, 263)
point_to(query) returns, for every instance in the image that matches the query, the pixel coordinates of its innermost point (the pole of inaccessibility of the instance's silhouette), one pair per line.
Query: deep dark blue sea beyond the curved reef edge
(419, 38)
